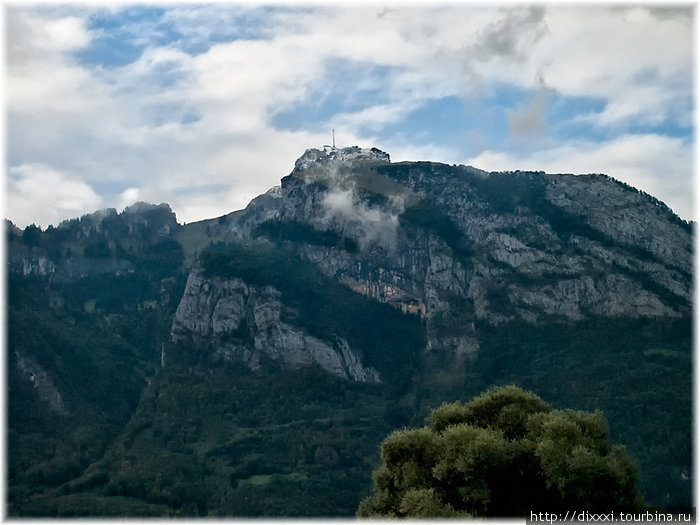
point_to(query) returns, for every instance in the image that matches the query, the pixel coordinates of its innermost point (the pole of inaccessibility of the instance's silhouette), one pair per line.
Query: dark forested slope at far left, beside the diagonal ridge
(89, 344)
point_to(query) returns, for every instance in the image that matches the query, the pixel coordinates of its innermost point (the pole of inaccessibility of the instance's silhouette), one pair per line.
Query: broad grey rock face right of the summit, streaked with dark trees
(520, 232)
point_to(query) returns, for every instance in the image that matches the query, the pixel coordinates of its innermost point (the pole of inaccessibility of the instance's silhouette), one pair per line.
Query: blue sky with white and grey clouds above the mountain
(207, 106)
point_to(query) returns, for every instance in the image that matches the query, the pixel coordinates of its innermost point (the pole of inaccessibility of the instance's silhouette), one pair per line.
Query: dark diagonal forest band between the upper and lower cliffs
(389, 340)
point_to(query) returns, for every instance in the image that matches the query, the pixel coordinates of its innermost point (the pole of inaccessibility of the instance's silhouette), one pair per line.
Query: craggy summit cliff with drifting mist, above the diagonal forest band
(413, 270)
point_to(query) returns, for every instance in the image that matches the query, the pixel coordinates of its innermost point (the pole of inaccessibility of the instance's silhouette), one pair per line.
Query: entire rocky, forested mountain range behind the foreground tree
(250, 364)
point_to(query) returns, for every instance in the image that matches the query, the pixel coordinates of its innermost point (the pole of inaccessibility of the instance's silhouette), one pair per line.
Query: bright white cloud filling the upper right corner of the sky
(636, 62)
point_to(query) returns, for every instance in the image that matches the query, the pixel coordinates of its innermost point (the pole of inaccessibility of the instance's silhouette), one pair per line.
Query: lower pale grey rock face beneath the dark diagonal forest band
(244, 323)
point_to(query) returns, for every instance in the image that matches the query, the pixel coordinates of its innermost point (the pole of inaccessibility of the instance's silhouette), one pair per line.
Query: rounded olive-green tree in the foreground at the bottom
(503, 454)
